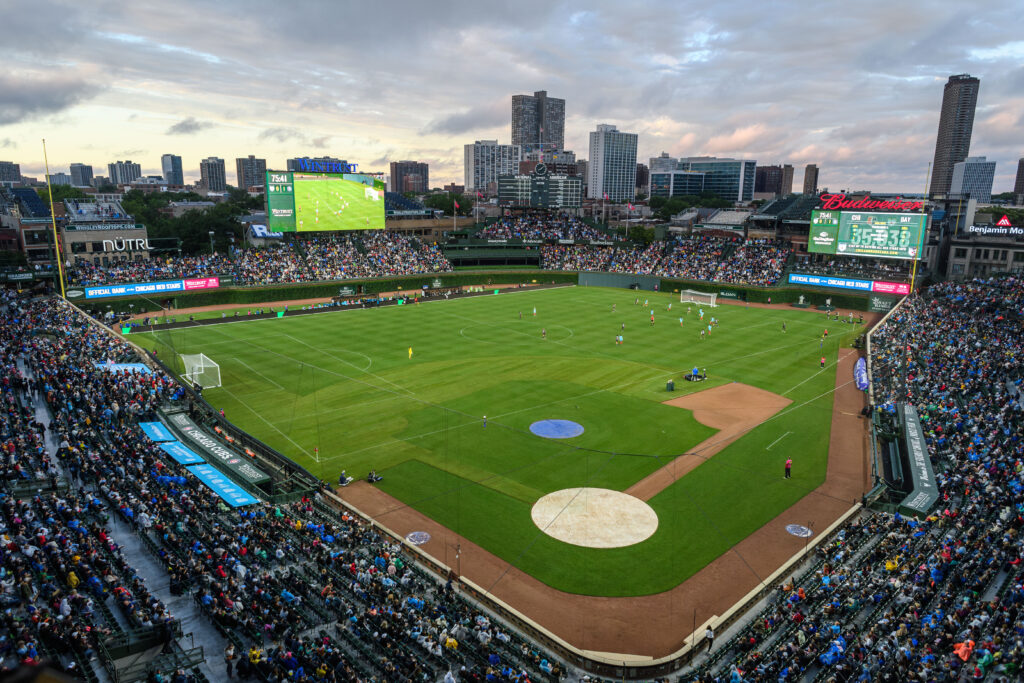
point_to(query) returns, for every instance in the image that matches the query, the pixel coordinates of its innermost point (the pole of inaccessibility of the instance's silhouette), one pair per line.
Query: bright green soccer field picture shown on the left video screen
(343, 205)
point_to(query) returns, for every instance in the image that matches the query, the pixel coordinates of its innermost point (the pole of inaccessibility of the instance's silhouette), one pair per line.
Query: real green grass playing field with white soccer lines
(345, 382)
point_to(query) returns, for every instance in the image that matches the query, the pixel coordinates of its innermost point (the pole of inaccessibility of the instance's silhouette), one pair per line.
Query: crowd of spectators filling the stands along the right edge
(906, 600)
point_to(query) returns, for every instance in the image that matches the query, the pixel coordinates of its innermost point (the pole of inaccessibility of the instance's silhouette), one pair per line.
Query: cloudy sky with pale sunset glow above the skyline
(855, 88)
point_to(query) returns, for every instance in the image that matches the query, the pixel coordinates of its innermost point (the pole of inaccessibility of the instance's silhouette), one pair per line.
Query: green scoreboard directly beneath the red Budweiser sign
(867, 234)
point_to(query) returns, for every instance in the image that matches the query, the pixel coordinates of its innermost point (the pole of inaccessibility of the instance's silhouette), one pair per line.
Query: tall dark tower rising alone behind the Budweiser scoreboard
(956, 123)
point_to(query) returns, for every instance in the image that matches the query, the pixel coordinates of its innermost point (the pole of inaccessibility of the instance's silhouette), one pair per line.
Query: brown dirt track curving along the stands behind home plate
(656, 625)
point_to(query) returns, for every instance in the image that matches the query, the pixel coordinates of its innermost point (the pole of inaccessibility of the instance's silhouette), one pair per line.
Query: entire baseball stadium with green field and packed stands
(374, 455)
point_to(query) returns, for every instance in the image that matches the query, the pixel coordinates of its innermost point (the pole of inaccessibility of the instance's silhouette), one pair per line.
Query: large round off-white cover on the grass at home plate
(595, 518)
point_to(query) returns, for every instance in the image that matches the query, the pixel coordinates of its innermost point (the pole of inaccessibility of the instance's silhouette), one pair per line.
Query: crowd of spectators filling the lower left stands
(300, 592)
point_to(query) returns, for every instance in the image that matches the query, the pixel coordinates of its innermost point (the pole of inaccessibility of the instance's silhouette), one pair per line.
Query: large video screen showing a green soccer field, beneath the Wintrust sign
(302, 202)
